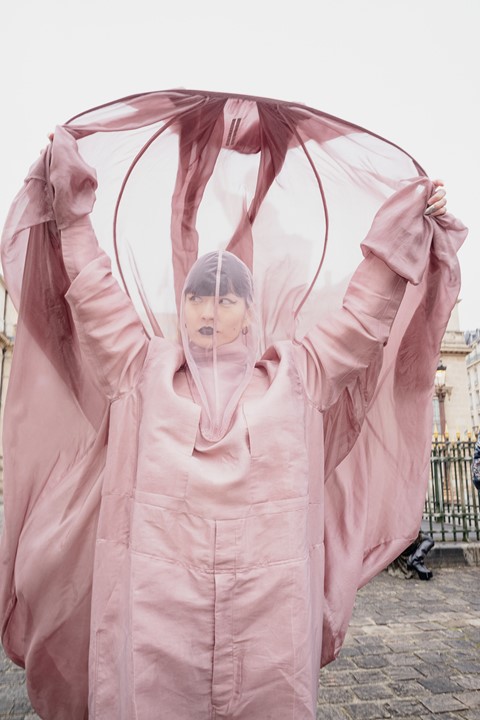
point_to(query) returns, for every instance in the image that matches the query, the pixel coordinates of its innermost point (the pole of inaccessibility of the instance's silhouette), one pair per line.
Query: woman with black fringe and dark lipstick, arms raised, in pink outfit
(213, 590)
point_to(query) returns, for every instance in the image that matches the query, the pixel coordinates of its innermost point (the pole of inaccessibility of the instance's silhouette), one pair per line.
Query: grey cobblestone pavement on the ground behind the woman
(412, 653)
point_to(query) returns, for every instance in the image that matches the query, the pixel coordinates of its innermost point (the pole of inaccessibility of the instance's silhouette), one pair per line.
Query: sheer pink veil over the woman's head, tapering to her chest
(219, 333)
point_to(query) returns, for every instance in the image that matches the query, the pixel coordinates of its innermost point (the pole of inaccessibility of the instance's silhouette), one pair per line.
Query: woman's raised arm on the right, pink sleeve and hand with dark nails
(335, 354)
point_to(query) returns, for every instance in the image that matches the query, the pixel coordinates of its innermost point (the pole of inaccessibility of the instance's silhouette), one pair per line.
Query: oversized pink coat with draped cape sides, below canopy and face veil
(163, 576)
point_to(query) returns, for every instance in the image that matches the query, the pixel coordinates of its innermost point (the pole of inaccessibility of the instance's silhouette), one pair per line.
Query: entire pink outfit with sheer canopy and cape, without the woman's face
(312, 472)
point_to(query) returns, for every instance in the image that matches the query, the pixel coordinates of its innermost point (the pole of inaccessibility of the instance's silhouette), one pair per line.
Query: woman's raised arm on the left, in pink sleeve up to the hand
(111, 334)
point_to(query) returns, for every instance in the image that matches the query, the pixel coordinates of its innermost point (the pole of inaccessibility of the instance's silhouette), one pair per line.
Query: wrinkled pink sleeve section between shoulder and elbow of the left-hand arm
(111, 334)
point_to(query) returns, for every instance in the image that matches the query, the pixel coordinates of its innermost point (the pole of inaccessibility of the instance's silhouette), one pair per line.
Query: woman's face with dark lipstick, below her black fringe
(231, 317)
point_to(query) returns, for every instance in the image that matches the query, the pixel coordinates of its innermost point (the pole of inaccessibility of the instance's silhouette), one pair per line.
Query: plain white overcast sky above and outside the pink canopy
(406, 69)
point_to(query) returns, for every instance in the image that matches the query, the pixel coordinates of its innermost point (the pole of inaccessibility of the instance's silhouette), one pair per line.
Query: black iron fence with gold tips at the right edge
(452, 508)
